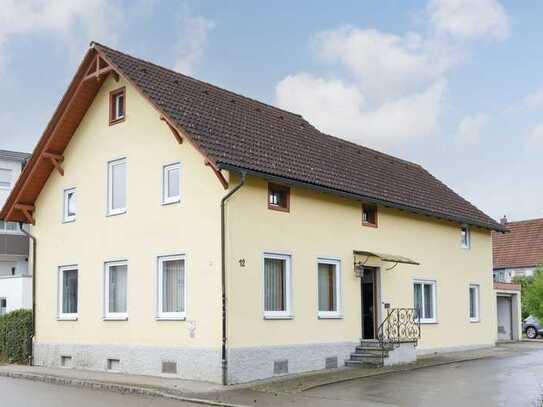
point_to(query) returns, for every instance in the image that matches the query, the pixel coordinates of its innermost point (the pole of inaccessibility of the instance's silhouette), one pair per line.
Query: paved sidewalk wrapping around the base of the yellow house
(232, 396)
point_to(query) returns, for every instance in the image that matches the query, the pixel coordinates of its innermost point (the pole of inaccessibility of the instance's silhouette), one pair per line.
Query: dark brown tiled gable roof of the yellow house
(238, 133)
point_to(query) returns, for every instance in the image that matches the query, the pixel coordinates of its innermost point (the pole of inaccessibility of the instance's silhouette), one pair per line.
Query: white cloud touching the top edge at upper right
(469, 19)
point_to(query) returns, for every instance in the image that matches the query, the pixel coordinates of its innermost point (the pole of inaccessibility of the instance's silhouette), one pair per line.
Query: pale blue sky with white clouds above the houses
(454, 85)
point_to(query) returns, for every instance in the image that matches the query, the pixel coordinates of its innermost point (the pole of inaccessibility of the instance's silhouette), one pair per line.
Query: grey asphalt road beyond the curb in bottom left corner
(26, 393)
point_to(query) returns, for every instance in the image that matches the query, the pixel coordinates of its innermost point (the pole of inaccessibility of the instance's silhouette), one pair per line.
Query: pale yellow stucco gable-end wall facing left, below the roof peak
(147, 230)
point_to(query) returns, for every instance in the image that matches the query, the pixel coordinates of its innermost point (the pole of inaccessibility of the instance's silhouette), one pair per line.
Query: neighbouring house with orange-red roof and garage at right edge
(516, 254)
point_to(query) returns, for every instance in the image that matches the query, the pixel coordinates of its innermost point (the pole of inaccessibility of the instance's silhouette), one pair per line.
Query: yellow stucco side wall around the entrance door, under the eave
(322, 225)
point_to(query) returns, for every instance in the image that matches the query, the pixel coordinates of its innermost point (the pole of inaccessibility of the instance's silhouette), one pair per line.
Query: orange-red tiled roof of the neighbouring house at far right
(522, 247)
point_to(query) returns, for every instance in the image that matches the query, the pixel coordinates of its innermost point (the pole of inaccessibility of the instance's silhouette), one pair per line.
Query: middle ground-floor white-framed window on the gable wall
(116, 290)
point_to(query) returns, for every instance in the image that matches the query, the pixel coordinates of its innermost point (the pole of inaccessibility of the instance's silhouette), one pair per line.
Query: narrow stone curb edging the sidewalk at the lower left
(113, 387)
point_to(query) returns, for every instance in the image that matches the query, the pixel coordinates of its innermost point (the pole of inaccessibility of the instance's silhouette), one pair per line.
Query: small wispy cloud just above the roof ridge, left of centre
(194, 31)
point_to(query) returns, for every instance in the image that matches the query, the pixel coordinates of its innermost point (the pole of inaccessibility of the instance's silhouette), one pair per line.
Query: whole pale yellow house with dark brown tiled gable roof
(187, 231)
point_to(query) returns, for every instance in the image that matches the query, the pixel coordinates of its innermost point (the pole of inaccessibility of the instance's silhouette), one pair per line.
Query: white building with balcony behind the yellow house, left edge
(15, 277)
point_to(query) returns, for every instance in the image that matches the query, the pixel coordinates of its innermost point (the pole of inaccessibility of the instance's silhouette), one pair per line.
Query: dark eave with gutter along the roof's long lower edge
(359, 197)
